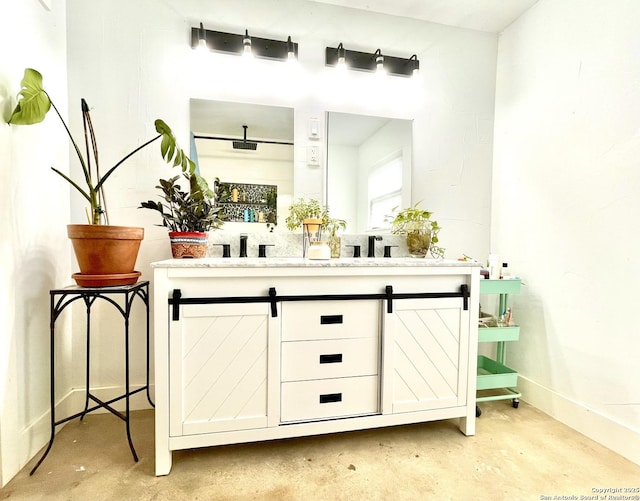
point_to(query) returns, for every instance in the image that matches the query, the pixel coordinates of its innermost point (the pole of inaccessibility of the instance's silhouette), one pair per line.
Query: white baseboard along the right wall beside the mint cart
(604, 430)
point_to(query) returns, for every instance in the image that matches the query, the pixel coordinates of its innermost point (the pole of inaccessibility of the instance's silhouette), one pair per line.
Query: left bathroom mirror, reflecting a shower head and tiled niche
(249, 148)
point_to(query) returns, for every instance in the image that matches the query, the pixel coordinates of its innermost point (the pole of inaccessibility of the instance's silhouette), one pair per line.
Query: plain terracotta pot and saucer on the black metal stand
(105, 249)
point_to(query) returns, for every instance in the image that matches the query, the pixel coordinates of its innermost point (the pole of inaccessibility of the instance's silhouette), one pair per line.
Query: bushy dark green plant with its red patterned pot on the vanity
(187, 214)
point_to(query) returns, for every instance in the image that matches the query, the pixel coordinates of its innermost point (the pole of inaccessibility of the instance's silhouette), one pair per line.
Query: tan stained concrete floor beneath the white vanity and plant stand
(517, 454)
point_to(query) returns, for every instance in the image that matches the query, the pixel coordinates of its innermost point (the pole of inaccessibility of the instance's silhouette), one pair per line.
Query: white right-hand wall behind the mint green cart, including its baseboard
(565, 206)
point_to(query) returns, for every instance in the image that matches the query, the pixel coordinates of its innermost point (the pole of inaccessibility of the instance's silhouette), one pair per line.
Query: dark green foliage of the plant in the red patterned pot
(192, 210)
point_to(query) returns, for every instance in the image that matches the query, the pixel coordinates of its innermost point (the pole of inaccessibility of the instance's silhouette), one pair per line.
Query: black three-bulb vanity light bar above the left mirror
(243, 44)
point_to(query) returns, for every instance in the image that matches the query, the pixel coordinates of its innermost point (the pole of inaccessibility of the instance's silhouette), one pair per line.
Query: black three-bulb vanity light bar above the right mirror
(372, 62)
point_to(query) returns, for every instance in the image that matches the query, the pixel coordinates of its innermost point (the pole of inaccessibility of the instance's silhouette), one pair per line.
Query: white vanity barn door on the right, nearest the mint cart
(426, 355)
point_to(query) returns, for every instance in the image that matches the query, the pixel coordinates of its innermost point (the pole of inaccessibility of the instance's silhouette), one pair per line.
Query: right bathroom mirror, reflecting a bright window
(368, 168)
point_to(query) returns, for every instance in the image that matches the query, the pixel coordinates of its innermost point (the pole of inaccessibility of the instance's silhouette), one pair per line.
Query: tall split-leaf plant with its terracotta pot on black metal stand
(102, 250)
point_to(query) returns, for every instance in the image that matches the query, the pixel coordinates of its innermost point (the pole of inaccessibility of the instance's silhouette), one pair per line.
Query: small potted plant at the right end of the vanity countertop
(420, 230)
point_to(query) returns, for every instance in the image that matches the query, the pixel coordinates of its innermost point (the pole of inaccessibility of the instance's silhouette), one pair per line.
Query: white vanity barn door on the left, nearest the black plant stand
(218, 368)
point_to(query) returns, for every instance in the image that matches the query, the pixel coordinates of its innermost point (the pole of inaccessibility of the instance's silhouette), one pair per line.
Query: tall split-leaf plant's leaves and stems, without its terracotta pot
(33, 105)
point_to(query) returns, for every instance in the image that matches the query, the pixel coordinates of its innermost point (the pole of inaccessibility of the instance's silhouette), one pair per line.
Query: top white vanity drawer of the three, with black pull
(330, 320)
